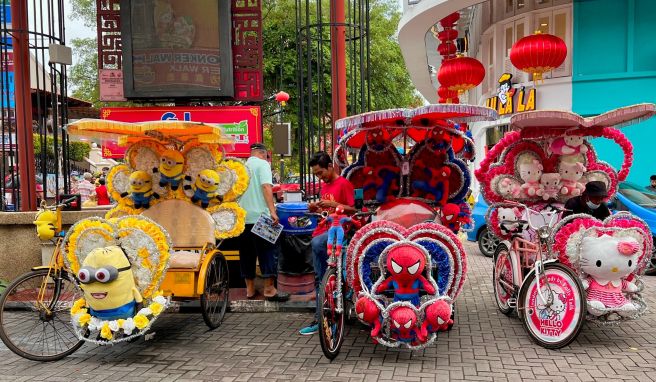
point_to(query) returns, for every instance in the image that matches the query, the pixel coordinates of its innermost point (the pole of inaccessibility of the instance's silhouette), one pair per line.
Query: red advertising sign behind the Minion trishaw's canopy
(242, 122)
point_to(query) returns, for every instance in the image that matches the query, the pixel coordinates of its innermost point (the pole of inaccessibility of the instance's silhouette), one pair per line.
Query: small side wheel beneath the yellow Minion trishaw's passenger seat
(215, 298)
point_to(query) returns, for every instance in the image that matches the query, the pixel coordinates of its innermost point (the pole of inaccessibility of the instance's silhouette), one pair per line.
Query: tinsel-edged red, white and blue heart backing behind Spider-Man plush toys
(369, 247)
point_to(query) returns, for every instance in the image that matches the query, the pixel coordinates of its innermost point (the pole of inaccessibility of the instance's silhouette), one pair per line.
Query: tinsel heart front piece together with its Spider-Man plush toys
(422, 270)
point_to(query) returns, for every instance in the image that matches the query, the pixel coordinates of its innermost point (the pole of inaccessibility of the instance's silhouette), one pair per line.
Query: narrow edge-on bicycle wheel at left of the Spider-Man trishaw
(331, 323)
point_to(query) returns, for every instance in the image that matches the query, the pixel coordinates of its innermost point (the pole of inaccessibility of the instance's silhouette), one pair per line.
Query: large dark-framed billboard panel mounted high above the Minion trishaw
(176, 48)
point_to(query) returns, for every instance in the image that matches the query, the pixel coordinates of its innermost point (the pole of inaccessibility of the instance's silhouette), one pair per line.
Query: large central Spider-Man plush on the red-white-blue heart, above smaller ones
(406, 264)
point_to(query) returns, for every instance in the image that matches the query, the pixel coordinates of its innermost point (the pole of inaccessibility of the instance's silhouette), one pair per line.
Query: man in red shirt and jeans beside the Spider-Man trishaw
(336, 191)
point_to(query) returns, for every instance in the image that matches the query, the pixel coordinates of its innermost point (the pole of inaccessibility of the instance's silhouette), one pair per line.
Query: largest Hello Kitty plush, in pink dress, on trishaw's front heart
(608, 261)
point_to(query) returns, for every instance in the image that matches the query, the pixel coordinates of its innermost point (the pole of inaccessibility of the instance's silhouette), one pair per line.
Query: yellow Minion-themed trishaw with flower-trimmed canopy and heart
(110, 278)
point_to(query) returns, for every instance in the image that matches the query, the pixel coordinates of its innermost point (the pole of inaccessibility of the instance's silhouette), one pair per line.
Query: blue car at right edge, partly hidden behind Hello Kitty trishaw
(641, 202)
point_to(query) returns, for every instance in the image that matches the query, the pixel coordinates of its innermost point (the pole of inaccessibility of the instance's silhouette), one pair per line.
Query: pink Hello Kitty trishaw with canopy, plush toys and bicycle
(558, 272)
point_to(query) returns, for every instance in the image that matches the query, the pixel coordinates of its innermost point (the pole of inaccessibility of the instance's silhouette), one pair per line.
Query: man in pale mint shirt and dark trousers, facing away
(257, 201)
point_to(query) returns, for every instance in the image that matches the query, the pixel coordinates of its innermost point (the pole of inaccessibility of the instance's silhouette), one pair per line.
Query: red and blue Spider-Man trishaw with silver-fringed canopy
(404, 266)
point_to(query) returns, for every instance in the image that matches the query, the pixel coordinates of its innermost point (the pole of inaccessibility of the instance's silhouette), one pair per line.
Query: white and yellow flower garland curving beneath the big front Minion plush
(116, 330)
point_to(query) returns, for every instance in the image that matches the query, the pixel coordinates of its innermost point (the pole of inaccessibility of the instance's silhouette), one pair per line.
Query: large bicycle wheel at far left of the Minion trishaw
(40, 332)
